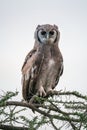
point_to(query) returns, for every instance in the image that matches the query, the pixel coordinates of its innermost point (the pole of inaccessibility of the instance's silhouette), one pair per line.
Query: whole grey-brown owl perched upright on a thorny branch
(43, 65)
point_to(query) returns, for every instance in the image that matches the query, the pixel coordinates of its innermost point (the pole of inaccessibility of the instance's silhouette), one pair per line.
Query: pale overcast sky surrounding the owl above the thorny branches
(18, 21)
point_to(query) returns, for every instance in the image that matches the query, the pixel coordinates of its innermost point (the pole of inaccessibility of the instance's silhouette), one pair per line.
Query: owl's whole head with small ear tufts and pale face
(47, 34)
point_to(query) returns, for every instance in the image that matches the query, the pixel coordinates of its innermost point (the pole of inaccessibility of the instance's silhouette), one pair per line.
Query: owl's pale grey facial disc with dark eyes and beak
(47, 36)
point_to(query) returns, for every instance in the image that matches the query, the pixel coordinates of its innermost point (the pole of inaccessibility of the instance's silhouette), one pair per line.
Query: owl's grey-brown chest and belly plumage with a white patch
(50, 67)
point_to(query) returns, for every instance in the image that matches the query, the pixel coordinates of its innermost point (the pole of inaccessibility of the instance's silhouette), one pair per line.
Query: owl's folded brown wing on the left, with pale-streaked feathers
(30, 71)
